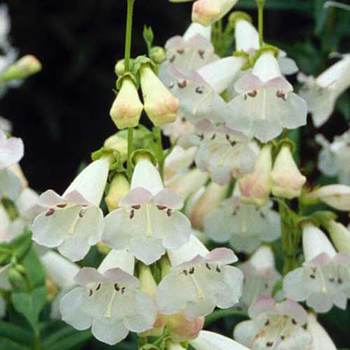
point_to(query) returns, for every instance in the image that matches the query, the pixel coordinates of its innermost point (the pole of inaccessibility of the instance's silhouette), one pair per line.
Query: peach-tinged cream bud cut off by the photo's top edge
(206, 12)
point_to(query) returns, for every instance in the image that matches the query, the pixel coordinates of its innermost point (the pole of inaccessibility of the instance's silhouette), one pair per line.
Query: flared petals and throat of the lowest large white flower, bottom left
(110, 303)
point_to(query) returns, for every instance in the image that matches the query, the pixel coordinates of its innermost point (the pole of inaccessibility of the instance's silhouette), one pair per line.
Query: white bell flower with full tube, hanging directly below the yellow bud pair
(148, 220)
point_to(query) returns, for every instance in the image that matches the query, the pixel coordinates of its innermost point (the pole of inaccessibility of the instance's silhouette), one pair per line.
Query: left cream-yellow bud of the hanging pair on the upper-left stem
(127, 107)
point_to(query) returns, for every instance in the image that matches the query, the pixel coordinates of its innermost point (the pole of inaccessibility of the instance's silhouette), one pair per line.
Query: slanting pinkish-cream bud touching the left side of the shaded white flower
(208, 201)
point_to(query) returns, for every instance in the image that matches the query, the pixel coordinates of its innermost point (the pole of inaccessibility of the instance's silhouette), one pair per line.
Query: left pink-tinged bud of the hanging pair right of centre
(256, 186)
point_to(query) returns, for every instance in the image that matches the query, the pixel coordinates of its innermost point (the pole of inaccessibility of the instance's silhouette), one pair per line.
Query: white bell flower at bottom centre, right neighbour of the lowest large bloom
(199, 281)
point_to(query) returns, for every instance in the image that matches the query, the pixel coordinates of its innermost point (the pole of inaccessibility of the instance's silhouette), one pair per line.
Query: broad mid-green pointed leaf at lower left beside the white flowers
(30, 304)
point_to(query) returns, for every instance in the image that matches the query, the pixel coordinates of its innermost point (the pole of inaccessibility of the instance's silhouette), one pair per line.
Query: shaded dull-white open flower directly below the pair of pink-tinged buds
(243, 225)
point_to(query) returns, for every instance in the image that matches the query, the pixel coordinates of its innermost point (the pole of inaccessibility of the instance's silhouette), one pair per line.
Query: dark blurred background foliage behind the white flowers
(62, 113)
